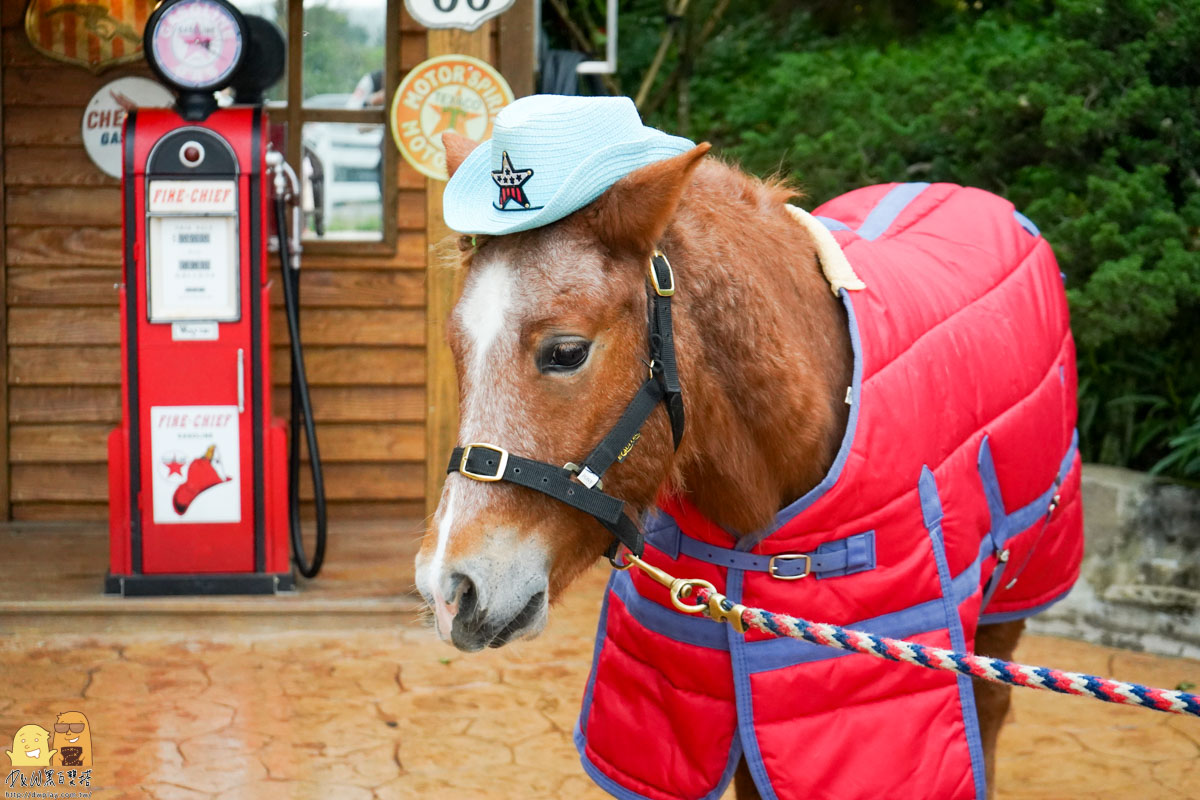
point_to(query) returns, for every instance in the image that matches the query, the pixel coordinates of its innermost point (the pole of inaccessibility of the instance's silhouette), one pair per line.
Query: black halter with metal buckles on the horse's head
(581, 486)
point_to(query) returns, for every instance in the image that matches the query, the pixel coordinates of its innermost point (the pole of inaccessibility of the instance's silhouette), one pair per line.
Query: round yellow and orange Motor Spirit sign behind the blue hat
(448, 93)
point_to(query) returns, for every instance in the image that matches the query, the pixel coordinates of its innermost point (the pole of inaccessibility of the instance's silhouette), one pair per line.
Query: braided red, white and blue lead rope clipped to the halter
(965, 664)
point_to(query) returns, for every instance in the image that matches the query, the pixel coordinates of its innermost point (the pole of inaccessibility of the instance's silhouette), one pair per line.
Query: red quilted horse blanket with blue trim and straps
(953, 503)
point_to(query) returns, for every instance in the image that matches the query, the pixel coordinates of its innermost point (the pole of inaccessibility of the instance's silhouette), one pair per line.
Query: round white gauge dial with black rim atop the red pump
(196, 45)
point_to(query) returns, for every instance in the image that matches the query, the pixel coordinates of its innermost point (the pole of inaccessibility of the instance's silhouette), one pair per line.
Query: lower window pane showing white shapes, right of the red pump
(343, 175)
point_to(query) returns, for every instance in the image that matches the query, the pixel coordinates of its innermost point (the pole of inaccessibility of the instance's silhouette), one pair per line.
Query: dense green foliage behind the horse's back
(1084, 113)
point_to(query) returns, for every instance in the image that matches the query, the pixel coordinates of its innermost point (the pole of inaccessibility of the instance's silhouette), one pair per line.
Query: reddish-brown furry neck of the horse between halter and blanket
(764, 348)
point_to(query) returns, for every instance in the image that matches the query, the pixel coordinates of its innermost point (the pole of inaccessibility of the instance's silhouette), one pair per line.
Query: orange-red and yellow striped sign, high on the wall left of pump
(94, 34)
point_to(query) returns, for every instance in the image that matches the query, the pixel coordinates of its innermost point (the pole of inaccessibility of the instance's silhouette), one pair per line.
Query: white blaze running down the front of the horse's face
(485, 316)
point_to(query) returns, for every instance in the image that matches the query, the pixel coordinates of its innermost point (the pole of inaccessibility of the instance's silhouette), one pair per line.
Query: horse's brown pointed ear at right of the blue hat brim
(635, 212)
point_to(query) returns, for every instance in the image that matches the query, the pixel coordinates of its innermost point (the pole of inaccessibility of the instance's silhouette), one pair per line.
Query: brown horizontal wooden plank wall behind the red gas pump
(364, 316)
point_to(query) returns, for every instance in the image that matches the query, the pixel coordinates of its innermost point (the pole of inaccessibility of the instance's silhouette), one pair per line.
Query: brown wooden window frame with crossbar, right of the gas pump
(295, 115)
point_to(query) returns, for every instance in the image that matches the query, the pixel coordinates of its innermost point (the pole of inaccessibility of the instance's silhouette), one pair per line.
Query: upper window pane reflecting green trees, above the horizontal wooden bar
(344, 53)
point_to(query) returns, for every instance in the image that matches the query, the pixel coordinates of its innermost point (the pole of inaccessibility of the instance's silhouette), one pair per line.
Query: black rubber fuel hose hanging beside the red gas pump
(302, 404)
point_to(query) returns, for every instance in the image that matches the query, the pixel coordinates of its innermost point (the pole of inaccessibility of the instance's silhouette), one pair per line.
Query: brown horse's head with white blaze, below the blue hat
(550, 344)
